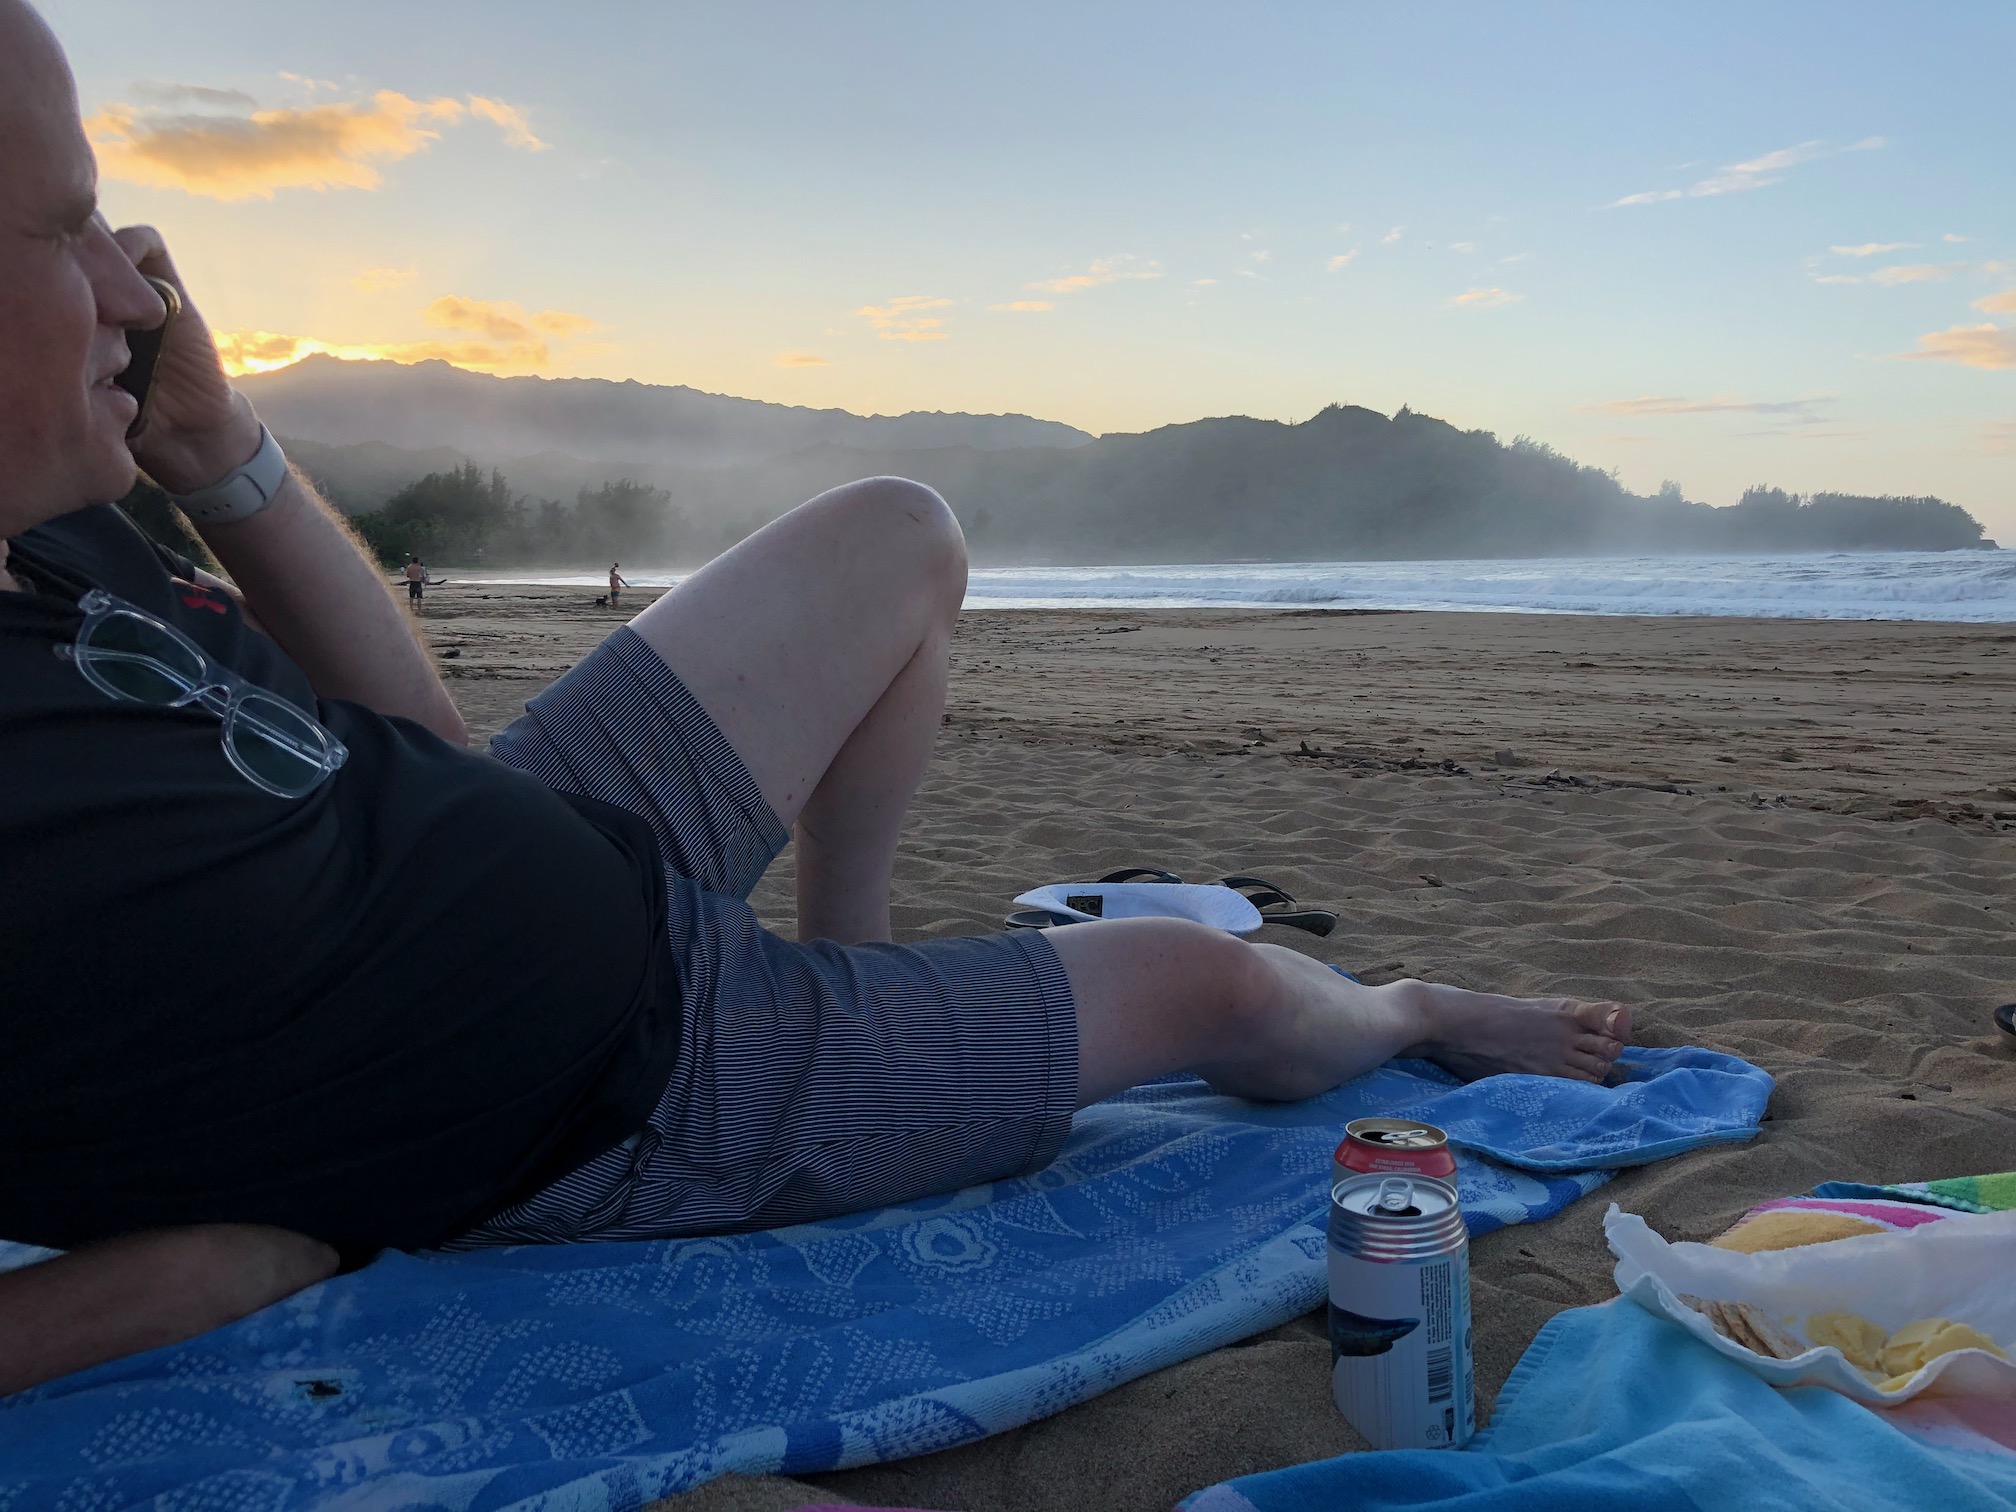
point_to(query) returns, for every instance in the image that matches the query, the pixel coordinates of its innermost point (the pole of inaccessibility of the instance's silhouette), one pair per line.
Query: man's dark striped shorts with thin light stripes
(813, 1080)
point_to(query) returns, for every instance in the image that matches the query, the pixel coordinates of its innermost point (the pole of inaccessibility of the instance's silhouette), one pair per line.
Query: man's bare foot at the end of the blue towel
(1481, 1033)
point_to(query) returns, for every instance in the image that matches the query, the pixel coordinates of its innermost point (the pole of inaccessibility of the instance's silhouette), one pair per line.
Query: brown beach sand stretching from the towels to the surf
(1793, 842)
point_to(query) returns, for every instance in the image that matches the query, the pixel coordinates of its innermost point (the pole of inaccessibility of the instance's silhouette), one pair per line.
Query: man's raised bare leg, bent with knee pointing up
(820, 646)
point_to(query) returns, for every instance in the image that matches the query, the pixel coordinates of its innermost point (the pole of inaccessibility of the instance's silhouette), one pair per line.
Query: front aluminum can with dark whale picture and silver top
(1400, 1311)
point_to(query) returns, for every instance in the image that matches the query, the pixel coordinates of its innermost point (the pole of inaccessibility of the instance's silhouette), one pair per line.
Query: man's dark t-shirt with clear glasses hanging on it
(376, 1015)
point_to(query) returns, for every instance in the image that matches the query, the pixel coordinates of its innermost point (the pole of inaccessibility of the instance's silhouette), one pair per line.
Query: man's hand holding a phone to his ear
(199, 426)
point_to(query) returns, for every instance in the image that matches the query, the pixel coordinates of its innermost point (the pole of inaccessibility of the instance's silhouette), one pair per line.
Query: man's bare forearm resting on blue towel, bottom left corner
(146, 1291)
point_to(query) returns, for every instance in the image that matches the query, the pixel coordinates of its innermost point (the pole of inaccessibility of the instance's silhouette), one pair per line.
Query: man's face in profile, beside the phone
(68, 295)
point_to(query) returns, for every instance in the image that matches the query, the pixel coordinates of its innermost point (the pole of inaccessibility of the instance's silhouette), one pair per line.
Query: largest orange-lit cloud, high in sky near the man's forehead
(313, 148)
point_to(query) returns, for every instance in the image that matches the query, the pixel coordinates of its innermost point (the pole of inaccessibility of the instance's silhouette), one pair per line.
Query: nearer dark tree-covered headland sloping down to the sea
(1348, 485)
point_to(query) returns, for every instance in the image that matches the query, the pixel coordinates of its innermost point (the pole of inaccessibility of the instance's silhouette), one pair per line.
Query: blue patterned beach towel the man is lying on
(598, 1378)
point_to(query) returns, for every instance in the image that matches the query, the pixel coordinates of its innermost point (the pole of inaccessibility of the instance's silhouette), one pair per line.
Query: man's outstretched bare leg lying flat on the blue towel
(1261, 1021)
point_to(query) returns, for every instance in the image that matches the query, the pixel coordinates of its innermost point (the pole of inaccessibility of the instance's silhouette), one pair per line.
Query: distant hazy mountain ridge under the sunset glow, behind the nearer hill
(428, 406)
